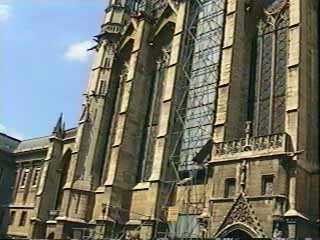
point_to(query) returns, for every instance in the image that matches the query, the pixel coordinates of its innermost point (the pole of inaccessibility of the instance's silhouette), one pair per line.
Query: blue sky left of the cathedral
(44, 66)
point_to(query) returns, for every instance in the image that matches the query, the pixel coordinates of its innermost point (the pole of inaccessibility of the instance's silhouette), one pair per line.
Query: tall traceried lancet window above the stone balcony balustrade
(271, 69)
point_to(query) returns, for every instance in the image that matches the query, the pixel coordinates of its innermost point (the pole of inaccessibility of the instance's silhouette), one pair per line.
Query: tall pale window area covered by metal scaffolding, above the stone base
(198, 84)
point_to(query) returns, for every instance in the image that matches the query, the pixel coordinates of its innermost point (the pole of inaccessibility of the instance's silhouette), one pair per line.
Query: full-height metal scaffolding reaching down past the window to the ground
(195, 110)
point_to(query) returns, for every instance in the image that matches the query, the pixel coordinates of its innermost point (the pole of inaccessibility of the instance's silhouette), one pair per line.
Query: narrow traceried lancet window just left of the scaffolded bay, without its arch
(150, 130)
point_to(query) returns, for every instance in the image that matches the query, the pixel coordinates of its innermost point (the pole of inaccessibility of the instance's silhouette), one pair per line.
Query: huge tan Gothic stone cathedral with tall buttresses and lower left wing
(199, 120)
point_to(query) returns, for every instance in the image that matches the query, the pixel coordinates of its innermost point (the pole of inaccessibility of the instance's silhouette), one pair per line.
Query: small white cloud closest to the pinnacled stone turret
(78, 51)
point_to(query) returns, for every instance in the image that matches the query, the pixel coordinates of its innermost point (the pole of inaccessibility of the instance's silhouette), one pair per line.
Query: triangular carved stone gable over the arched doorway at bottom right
(241, 212)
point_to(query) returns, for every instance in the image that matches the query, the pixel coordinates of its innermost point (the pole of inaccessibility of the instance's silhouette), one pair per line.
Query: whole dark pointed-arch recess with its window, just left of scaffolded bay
(158, 66)
